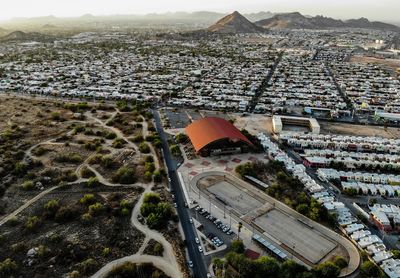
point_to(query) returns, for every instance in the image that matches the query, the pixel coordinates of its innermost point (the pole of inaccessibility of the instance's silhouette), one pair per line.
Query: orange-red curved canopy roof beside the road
(208, 130)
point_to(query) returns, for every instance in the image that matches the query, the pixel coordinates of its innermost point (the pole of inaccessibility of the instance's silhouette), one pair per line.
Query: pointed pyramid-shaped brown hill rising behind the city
(235, 23)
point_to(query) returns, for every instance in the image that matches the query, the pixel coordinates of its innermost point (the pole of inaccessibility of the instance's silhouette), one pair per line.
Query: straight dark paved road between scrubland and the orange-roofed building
(199, 268)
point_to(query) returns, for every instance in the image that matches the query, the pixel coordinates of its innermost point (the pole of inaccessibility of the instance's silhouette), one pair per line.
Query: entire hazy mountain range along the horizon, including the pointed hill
(220, 23)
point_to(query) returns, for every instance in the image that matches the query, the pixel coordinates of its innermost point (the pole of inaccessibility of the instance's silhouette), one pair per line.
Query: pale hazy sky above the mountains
(373, 9)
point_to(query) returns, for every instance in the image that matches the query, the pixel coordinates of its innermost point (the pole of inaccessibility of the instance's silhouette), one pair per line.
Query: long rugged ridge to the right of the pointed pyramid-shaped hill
(298, 21)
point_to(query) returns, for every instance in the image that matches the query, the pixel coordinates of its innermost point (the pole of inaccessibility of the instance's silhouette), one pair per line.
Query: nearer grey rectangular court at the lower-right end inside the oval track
(305, 241)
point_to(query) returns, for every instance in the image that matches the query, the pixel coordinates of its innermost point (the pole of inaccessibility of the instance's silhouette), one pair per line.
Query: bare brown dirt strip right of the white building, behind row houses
(359, 130)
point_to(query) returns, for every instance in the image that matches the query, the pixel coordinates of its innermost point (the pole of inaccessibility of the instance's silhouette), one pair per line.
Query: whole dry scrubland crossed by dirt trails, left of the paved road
(45, 147)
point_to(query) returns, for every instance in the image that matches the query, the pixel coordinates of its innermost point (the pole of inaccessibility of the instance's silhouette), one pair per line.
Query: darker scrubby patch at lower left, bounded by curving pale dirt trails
(65, 241)
